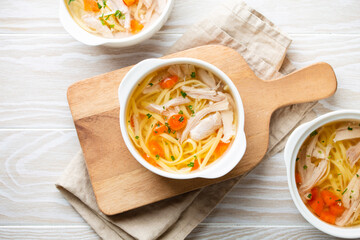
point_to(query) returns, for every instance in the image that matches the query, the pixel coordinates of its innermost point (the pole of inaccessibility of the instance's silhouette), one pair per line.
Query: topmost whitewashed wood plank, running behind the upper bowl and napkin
(304, 16)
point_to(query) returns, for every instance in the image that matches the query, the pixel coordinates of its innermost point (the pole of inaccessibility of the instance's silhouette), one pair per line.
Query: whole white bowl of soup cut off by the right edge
(323, 168)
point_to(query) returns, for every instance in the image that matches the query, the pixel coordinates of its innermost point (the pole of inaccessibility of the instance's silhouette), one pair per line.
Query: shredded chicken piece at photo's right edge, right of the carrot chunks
(351, 201)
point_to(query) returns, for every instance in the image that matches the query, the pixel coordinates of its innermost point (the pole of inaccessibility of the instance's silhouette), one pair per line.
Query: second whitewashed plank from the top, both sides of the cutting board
(52, 63)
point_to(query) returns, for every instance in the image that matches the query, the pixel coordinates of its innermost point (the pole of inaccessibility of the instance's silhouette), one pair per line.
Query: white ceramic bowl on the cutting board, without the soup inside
(221, 166)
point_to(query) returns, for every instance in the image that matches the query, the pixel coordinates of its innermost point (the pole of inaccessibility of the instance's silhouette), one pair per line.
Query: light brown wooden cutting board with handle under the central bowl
(120, 183)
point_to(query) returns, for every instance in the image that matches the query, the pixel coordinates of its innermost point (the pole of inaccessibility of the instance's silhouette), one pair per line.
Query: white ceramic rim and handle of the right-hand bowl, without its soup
(292, 147)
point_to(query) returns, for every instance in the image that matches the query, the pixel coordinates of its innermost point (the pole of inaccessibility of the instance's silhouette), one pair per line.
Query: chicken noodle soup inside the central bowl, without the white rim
(181, 118)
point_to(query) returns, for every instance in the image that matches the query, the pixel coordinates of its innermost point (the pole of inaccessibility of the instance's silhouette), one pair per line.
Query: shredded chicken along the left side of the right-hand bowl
(309, 173)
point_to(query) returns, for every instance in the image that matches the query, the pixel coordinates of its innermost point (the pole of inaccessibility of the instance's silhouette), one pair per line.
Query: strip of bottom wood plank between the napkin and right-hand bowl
(263, 232)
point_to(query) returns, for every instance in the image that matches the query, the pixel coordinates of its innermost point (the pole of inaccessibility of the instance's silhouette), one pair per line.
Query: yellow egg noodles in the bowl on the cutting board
(178, 157)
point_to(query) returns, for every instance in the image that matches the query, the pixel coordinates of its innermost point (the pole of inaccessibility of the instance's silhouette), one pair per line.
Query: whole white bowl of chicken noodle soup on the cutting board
(180, 118)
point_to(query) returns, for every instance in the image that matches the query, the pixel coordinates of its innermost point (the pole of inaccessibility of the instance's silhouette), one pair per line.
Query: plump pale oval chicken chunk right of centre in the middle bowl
(206, 127)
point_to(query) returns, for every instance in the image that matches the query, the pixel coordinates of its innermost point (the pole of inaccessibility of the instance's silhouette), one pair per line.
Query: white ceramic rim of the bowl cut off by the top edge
(93, 40)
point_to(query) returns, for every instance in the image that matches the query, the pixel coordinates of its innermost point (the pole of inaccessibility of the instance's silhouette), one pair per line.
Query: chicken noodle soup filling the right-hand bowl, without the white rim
(328, 173)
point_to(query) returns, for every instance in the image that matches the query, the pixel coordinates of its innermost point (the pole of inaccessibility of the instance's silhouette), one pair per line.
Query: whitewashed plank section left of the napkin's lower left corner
(31, 162)
